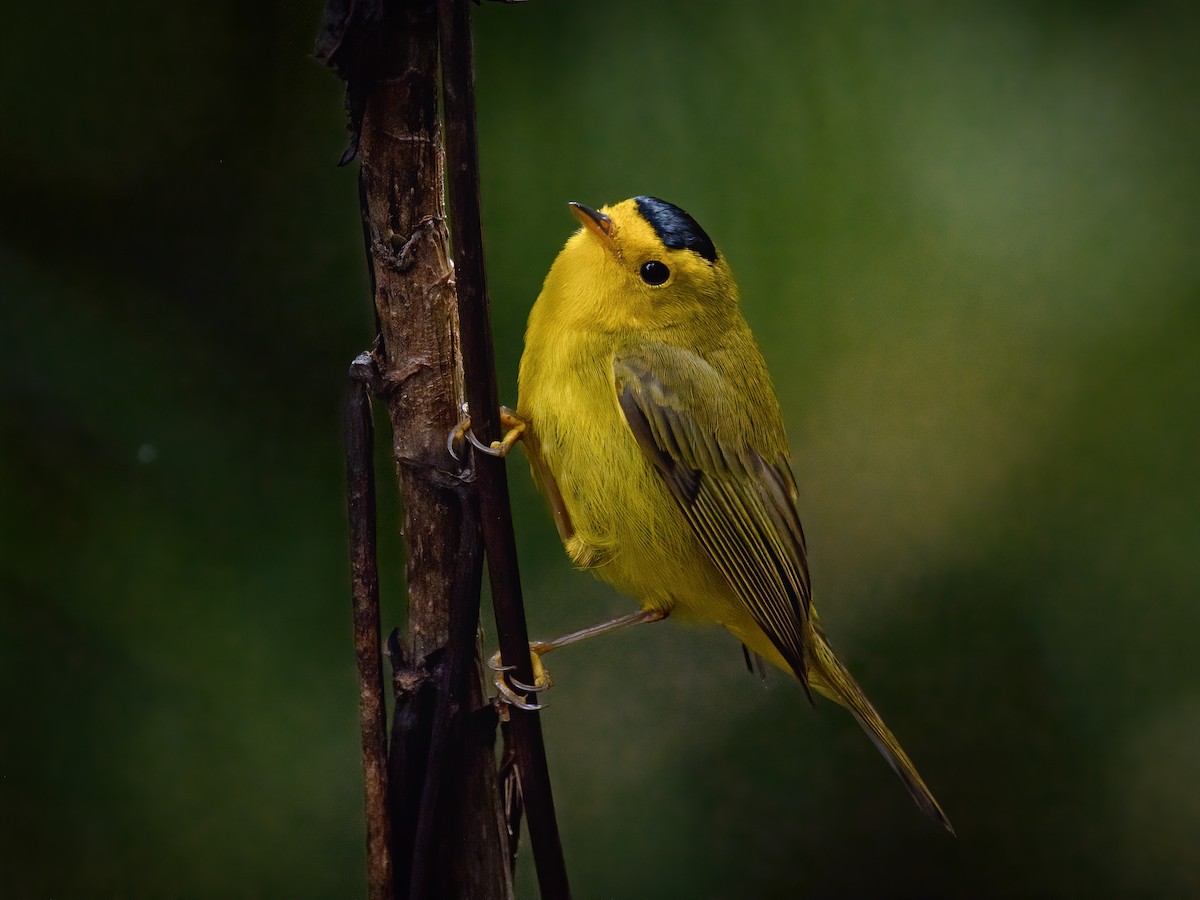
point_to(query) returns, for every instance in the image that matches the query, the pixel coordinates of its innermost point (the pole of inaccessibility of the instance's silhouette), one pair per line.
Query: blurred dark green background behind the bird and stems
(969, 238)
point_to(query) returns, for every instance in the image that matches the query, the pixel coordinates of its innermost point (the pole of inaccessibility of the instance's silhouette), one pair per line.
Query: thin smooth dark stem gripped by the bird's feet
(479, 365)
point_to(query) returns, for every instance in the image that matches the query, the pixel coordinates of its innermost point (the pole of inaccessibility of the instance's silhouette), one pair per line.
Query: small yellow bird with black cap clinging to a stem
(653, 428)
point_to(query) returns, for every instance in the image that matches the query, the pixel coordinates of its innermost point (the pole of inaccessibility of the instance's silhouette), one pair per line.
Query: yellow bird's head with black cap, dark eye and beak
(639, 266)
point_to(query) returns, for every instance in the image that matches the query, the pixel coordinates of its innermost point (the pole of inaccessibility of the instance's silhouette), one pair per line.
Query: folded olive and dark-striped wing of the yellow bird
(693, 425)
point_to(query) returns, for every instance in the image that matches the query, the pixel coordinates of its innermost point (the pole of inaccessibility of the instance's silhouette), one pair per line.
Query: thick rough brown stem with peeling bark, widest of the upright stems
(448, 832)
